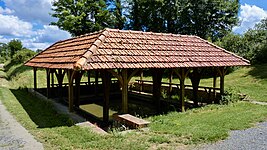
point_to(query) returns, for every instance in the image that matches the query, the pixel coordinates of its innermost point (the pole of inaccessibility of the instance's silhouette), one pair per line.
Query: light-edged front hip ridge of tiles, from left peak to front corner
(93, 48)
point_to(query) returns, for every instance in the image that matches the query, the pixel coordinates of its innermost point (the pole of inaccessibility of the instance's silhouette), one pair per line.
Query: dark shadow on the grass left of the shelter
(41, 112)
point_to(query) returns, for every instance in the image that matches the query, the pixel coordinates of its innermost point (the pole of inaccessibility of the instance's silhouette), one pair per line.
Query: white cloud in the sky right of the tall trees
(249, 16)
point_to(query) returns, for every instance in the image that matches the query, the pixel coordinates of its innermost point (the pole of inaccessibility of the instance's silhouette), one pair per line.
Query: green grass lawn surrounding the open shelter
(169, 131)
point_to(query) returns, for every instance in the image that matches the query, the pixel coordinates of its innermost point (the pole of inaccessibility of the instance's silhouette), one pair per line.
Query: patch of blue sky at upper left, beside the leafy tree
(31, 10)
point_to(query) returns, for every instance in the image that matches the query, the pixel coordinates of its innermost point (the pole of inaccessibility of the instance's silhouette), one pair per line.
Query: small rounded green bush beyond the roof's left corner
(23, 55)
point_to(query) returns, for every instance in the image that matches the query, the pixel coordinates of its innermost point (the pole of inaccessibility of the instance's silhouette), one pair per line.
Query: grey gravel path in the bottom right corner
(249, 139)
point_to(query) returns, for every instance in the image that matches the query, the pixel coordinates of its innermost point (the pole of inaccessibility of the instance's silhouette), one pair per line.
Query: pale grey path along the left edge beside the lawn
(12, 135)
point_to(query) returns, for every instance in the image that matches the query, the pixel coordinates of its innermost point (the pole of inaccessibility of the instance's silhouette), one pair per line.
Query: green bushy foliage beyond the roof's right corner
(252, 45)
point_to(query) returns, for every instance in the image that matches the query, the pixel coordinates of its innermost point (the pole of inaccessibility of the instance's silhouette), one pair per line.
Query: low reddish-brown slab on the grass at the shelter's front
(131, 121)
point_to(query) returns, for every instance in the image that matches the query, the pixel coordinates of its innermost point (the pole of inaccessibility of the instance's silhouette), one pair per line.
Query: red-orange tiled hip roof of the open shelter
(111, 48)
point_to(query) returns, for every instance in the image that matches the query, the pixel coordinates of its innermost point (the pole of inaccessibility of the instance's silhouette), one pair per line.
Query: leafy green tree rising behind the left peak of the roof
(81, 16)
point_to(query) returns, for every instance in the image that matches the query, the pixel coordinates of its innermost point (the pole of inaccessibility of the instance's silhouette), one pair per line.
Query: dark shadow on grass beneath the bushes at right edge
(259, 71)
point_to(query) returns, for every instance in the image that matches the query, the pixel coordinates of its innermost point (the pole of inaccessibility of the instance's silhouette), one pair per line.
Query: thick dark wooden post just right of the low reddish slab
(157, 77)
